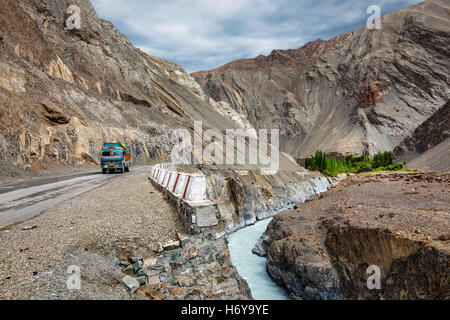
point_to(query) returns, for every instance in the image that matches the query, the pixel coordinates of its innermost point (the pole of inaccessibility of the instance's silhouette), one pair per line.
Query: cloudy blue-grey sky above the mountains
(205, 34)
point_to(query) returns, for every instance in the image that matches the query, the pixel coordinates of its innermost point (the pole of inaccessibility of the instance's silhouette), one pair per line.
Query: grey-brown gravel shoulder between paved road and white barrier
(126, 217)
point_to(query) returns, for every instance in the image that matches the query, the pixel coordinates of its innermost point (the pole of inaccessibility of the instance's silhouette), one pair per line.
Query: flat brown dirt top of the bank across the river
(413, 206)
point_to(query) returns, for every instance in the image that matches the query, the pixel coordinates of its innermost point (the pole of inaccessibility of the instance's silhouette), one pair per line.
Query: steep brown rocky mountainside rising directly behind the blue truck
(63, 92)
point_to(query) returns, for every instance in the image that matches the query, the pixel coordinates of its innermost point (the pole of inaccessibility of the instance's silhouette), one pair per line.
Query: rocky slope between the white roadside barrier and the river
(244, 199)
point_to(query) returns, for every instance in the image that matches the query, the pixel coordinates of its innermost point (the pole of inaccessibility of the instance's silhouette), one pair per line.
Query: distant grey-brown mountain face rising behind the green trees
(367, 88)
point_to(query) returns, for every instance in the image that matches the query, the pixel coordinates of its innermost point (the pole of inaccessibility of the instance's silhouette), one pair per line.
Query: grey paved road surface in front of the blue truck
(25, 200)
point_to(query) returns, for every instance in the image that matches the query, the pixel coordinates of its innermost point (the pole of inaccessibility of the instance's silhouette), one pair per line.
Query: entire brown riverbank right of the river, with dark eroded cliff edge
(398, 222)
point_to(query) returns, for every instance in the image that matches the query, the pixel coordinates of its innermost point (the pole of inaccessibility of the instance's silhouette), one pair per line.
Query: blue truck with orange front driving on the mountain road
(115, 156)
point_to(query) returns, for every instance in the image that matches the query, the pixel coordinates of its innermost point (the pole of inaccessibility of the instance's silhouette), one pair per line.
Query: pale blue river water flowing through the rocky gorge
(252, 267)
